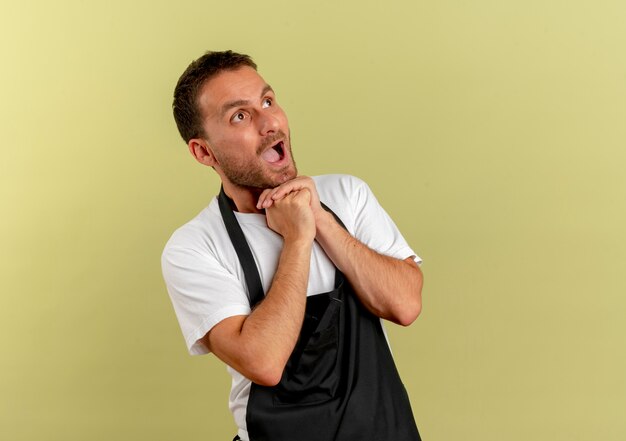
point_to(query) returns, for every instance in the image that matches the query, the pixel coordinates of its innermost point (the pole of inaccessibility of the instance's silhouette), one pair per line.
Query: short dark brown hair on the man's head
(187, 113)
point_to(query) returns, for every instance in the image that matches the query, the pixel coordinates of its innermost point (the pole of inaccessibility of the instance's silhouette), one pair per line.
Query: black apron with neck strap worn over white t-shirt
(340, 383)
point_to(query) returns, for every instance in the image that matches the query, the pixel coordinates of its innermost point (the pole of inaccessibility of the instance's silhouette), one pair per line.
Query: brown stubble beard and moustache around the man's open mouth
(253, 174)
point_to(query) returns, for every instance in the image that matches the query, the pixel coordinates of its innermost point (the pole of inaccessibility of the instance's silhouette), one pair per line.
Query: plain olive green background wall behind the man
(493, 132)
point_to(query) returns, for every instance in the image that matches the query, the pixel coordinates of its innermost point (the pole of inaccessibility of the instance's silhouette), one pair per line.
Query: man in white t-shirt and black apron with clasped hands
(285, 277)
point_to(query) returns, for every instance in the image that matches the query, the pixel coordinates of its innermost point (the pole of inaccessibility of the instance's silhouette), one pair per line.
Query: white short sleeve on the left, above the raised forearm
(202, 292)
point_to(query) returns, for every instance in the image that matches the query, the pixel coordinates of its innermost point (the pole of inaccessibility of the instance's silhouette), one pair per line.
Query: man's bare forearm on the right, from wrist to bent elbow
(390, 288)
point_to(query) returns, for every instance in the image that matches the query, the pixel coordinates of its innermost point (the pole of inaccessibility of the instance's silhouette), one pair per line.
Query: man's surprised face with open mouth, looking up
(246, 130)
